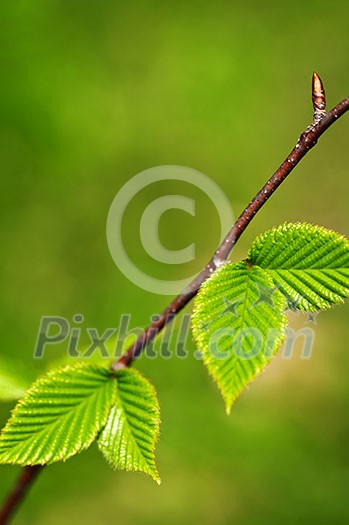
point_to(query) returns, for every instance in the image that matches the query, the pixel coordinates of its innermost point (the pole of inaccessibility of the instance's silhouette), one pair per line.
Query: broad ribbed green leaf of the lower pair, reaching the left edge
(60, 415)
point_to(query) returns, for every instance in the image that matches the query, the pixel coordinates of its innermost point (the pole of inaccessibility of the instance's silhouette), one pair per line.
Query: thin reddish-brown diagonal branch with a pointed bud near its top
(307, 140)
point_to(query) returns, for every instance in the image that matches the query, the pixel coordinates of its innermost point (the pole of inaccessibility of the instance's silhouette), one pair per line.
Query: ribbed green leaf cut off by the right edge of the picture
(309, 264)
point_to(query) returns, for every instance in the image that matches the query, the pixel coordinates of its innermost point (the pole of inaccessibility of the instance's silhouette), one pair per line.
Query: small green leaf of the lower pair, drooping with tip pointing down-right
(130, 435)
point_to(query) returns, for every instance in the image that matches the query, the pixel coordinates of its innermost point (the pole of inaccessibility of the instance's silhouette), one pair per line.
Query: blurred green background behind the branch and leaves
(91, 94)
